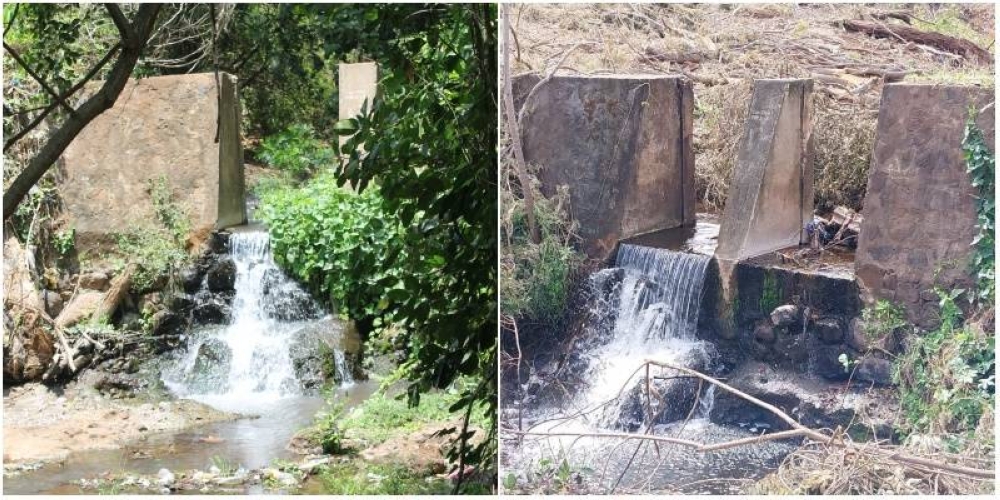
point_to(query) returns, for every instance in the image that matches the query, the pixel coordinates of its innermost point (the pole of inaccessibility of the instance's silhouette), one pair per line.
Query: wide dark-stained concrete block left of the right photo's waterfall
(622, 145)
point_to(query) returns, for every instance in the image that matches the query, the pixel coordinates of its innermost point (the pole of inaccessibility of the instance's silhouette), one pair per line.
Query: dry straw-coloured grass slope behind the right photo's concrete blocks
(737, 43)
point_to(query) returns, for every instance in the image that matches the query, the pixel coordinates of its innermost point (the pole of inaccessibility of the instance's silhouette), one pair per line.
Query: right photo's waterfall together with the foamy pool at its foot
(644, 308)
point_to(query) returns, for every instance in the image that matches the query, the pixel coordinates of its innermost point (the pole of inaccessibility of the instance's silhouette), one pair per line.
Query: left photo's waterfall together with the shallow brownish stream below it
(246, 366)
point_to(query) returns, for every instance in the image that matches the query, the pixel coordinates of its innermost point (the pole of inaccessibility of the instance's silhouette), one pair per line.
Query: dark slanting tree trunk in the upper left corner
(134, 38)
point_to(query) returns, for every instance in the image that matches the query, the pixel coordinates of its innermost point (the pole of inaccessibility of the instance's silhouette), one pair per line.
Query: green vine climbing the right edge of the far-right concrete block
(981, 164)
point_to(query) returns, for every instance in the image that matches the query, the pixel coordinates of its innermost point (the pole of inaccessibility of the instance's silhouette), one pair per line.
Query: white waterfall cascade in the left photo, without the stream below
(250, 359)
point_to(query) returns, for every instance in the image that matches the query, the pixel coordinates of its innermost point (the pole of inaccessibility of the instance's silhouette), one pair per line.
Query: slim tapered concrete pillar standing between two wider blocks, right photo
(771, 193)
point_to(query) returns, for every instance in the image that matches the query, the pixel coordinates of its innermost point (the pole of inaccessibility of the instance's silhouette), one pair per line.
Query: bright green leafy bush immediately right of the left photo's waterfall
(341, 244)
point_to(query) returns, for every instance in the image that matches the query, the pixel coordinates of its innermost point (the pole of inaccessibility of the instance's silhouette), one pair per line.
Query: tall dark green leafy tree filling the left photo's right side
(430, 145)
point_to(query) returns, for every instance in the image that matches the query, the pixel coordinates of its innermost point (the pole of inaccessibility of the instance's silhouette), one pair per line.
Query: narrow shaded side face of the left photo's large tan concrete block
(232, 185)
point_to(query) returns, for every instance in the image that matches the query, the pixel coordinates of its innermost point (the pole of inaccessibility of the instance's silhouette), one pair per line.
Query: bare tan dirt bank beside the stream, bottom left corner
(41, 425)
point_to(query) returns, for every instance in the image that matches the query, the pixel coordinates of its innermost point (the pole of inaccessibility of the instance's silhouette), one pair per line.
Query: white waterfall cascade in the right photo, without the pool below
(655, 305)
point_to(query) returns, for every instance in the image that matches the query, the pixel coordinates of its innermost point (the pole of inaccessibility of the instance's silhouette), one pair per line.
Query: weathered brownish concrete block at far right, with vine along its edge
(920, 215)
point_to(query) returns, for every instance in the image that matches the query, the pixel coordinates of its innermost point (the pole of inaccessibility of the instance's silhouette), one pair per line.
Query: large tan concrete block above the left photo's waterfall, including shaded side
(180, 128)
